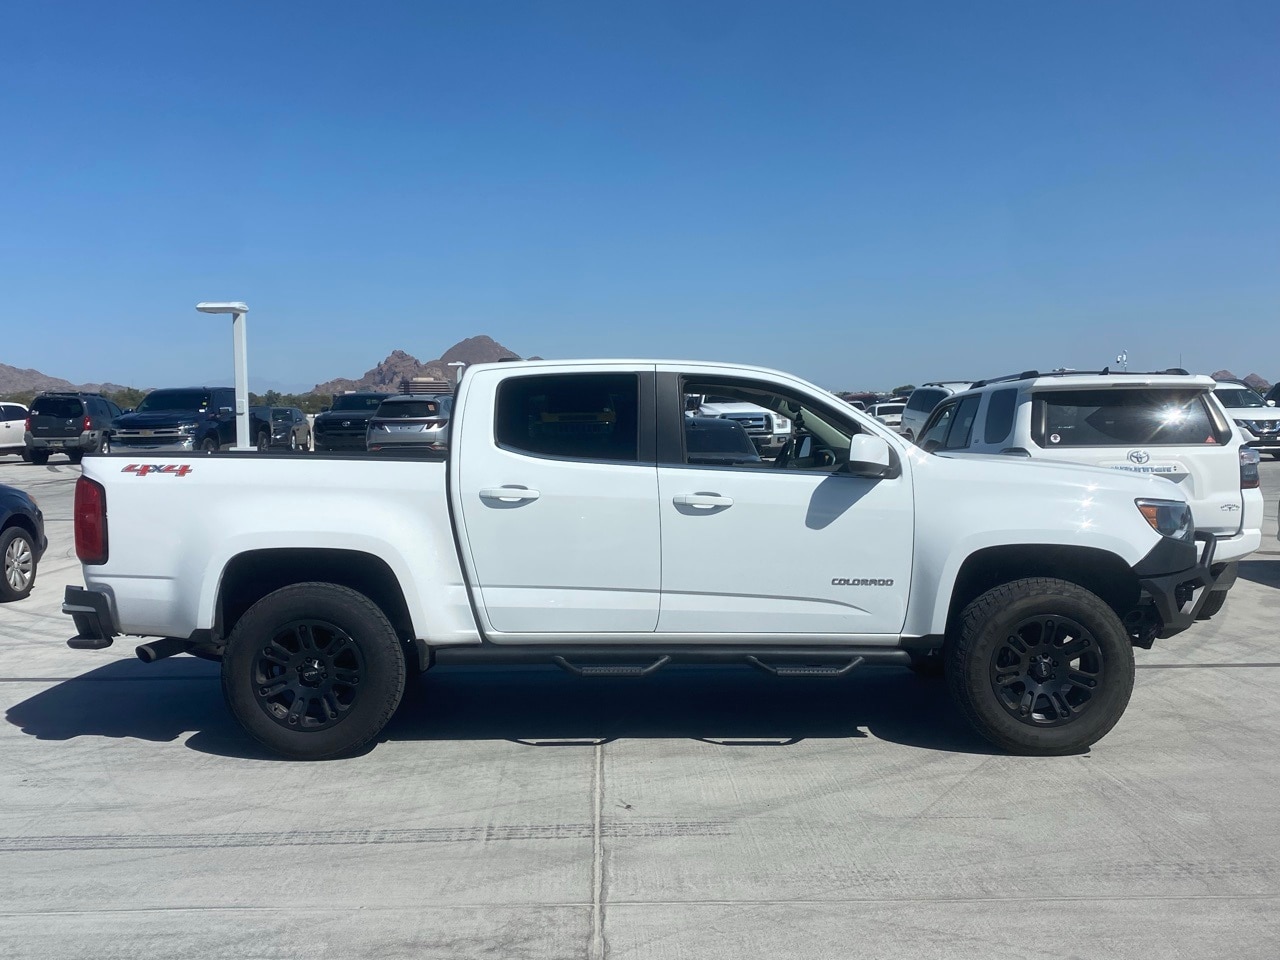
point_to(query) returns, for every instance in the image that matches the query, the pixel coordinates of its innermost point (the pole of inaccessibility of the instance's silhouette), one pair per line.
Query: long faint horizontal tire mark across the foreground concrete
(637, 830)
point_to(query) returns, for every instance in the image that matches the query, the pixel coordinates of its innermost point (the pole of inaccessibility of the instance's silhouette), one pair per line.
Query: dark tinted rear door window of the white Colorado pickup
(580, 417)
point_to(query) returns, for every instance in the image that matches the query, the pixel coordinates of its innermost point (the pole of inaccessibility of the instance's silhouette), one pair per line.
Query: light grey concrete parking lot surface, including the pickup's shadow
(698, 813)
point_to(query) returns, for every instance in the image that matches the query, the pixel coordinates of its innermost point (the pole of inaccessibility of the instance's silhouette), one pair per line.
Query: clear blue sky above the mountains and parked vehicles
(865, 194)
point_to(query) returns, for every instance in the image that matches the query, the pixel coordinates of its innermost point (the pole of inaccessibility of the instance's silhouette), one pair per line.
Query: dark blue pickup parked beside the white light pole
(184, 419)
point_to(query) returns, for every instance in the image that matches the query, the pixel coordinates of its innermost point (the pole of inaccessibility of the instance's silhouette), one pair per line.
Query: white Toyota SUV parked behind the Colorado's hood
(1167, 424)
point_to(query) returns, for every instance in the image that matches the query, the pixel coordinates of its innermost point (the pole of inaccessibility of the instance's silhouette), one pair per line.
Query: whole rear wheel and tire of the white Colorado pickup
(314, 671)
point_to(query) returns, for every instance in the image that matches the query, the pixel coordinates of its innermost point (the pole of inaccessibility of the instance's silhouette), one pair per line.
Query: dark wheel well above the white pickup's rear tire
(252, 577)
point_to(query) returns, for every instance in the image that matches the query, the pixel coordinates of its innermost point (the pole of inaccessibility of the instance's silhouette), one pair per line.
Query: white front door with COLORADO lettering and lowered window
(760, 547)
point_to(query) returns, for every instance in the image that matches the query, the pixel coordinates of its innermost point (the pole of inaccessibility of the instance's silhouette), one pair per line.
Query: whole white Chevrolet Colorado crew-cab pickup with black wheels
(568, 524)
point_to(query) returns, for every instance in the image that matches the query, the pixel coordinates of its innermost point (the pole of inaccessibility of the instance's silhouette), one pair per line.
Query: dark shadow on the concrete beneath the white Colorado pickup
(529, 707)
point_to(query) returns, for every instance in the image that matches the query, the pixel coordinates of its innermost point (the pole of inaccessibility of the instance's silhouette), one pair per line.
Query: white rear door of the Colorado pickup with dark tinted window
(556, 496)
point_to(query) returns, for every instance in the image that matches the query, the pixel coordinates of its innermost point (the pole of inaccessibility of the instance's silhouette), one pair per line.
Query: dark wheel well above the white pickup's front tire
(1100, 573)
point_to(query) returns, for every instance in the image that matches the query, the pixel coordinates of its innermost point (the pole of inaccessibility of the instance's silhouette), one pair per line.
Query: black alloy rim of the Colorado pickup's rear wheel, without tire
(308, 675)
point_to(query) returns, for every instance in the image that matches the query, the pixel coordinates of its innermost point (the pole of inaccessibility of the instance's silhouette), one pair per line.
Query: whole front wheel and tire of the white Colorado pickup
(1041, 668)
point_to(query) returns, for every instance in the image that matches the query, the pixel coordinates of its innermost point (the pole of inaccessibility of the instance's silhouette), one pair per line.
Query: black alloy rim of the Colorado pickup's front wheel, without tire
(1046, 671)
